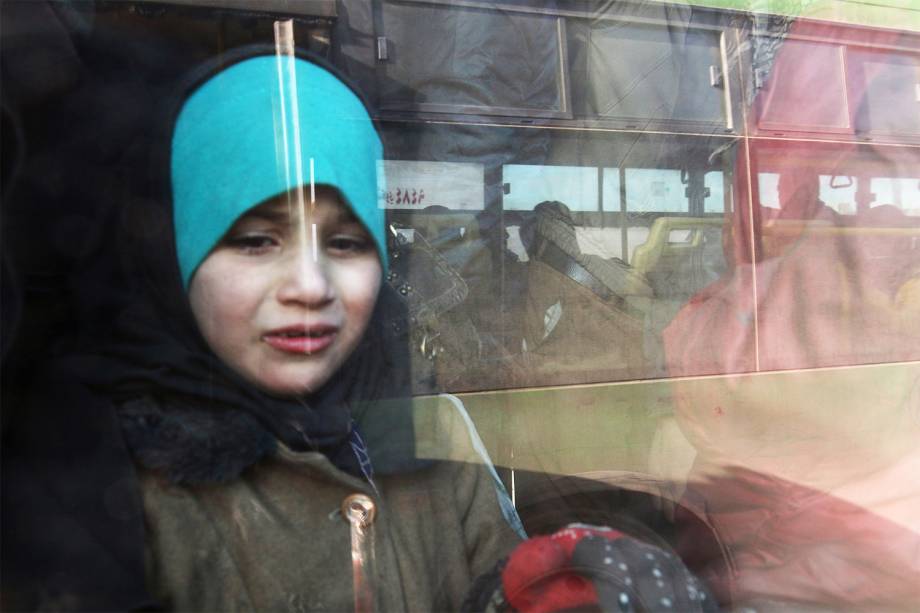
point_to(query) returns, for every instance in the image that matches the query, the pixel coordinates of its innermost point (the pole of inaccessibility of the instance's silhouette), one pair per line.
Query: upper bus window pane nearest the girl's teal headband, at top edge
(454, 59)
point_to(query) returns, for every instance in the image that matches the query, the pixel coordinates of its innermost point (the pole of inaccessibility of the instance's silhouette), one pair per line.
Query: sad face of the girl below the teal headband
(286, 295)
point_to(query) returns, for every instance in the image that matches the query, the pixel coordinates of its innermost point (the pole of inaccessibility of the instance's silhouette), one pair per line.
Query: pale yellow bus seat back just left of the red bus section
(679, 268)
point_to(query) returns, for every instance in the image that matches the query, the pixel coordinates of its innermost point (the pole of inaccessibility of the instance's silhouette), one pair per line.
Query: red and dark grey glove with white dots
(586, 567)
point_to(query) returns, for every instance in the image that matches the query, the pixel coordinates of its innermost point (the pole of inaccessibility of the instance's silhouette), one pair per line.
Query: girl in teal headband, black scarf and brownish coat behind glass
(281, 249)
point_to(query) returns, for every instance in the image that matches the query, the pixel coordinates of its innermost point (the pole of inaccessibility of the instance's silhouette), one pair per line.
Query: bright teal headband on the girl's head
(249, 134)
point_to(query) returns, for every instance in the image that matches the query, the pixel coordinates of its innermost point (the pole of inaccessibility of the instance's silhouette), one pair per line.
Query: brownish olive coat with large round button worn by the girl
(276, 539)
